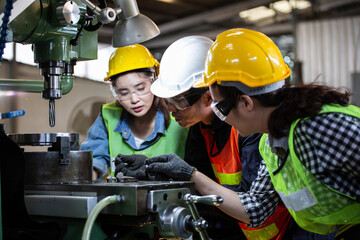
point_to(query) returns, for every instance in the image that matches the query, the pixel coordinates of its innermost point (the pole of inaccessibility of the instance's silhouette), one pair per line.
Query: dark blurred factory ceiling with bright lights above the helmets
(178, 18)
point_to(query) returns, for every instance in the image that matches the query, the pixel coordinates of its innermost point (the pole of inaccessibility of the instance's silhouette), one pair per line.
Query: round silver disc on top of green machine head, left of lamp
(68, 13)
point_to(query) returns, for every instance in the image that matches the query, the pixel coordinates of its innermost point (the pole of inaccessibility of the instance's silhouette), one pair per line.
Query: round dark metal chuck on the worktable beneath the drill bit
(63, 163)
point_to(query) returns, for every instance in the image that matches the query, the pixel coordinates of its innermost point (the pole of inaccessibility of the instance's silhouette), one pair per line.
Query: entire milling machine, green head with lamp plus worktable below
(46, 194)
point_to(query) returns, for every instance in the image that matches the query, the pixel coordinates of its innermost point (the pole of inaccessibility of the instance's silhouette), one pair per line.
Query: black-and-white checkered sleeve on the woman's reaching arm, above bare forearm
(262, 199)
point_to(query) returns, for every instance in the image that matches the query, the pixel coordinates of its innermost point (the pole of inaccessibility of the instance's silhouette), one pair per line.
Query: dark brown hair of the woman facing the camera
(158, 103)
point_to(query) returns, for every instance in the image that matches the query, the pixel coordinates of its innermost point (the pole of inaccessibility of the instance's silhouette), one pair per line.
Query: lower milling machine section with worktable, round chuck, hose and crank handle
(59, 188)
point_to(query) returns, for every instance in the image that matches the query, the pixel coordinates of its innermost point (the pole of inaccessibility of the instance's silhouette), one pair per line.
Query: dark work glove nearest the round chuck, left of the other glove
(131, 166)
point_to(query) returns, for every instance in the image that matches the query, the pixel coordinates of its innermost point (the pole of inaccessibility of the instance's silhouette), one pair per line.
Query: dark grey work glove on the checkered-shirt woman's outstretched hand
(169, 165)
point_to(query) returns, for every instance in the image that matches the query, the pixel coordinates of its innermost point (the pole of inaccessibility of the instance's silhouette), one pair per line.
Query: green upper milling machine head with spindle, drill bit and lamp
(63, 32)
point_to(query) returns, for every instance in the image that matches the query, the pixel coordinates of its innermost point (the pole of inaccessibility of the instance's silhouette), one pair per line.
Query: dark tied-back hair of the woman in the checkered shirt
(293, 103)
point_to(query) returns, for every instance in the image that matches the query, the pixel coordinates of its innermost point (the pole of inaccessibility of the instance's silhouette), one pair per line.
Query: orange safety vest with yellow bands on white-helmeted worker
(227, 168)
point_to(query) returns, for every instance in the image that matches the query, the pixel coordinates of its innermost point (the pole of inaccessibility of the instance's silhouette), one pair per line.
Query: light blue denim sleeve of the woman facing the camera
(97, 141)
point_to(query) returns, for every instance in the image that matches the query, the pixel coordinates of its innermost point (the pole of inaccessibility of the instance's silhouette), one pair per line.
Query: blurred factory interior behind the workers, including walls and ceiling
(324, 49)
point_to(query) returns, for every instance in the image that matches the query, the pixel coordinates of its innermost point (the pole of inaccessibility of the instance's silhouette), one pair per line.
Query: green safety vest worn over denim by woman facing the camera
(173, 141)
